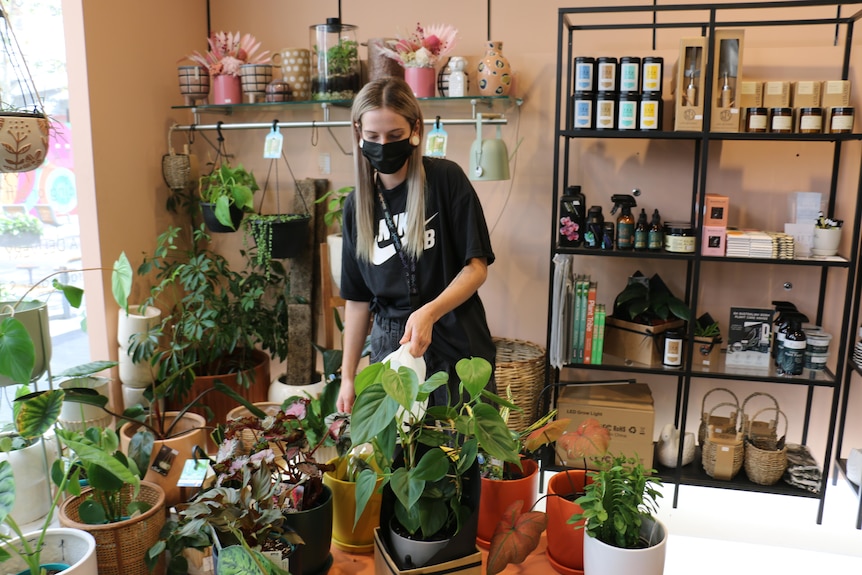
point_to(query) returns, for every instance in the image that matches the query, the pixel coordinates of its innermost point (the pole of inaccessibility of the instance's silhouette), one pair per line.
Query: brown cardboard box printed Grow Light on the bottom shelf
(625, 410)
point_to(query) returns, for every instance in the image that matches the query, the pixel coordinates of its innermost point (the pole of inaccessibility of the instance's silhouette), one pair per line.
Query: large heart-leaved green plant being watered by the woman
(438, 447)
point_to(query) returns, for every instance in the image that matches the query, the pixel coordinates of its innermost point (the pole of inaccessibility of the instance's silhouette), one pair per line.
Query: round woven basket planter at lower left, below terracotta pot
(122, 546)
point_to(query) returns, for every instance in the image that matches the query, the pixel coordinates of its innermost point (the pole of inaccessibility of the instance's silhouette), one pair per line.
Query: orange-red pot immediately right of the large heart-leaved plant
(498, 495)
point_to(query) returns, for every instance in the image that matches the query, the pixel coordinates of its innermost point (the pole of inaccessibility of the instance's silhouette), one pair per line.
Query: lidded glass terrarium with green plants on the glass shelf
(335, 51)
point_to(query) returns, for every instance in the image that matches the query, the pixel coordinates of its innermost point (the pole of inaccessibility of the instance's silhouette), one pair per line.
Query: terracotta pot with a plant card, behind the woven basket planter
(188, 433)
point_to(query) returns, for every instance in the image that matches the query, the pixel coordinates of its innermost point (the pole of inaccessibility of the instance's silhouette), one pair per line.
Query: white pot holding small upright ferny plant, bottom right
(603, 559)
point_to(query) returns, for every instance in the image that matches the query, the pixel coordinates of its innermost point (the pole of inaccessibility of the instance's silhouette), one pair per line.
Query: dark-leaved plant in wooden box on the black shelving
(648, 300)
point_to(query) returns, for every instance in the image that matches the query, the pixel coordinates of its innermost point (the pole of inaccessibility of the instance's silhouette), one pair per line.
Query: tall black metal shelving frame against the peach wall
(686, 20)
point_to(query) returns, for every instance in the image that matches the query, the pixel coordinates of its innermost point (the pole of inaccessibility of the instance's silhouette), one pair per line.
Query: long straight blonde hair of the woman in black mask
(393, 94)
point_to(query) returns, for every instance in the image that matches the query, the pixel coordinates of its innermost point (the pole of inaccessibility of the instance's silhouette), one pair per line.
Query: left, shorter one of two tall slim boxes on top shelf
(689, 85)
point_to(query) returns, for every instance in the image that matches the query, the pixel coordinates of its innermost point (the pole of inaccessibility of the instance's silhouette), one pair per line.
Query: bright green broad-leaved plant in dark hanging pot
(226, 194)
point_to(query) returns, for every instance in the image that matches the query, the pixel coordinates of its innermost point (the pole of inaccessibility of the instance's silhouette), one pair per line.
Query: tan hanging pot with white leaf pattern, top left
(23, 141)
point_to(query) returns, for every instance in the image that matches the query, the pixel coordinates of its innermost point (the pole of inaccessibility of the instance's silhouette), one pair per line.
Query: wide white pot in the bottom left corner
(73, 547)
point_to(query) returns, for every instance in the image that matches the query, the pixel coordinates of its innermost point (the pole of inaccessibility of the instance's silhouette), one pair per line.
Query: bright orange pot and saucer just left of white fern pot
(565, 543)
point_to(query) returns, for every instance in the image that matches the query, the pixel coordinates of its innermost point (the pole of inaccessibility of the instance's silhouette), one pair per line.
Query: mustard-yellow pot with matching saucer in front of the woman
(358, 539)
